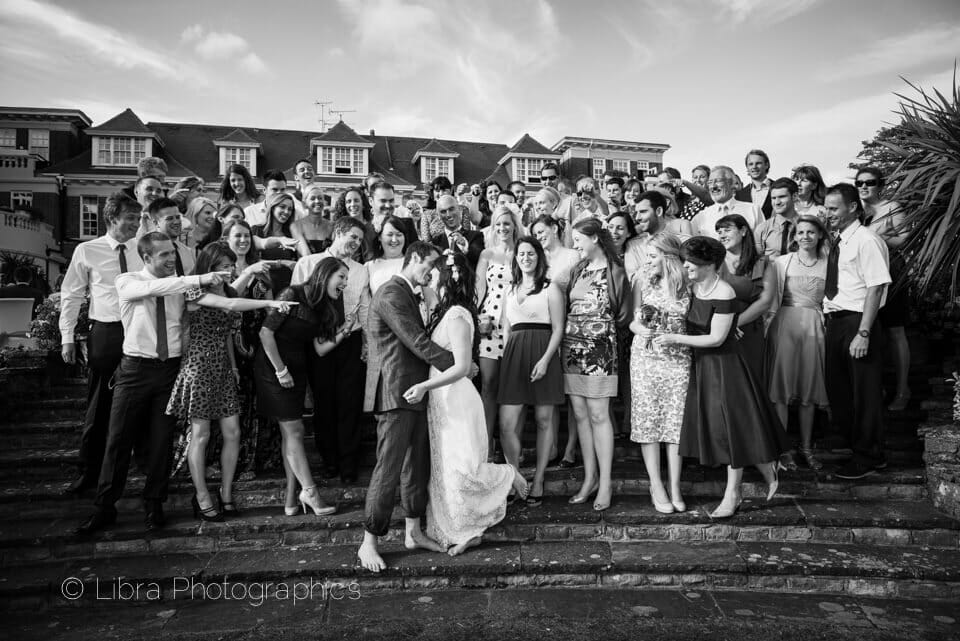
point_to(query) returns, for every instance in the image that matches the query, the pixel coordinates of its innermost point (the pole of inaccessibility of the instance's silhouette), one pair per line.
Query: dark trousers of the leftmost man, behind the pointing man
(104, 349)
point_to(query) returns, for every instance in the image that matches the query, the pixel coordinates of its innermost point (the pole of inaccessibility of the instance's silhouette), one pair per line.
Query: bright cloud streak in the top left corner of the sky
(60, 26)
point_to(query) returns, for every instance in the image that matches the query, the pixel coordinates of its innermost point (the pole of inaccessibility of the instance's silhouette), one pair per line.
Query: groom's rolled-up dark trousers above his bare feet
(403, 458)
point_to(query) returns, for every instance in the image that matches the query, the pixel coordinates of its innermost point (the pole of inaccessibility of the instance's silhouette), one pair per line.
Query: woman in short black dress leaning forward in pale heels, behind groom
(280, 368)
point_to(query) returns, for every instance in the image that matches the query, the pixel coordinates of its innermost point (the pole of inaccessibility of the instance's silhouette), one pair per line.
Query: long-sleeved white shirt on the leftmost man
(93, 270)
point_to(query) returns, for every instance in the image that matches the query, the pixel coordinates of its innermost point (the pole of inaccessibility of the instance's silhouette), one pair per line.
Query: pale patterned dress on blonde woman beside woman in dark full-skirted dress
(659, 375)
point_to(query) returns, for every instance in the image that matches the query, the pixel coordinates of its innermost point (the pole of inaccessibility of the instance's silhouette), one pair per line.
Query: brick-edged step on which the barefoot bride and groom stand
(827, 568)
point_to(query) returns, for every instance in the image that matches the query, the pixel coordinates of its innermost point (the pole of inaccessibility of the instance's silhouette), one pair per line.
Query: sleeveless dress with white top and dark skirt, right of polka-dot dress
(530, 332)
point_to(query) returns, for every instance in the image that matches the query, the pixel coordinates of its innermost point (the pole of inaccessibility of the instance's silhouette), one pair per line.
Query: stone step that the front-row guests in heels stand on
(630, 518)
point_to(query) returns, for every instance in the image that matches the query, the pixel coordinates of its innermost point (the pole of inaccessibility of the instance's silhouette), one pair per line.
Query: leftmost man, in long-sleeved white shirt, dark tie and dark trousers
(93, 270)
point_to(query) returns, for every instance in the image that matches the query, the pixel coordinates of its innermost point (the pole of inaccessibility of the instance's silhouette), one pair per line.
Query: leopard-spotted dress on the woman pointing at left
(205, 387)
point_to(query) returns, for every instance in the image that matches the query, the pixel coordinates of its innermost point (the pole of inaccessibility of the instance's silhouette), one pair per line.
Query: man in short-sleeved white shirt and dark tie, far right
(857, 279)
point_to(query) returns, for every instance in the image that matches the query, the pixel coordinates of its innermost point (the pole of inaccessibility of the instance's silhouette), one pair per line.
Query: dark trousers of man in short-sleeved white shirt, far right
(855, 389)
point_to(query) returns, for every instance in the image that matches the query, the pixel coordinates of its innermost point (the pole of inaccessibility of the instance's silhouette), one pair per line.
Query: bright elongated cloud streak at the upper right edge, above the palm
(901, 52)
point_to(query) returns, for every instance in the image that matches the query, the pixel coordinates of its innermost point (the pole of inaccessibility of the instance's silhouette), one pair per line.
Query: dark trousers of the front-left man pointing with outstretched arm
(139, 414)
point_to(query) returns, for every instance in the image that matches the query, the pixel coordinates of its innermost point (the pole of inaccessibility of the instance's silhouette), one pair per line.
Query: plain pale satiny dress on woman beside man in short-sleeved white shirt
(796, 364)
